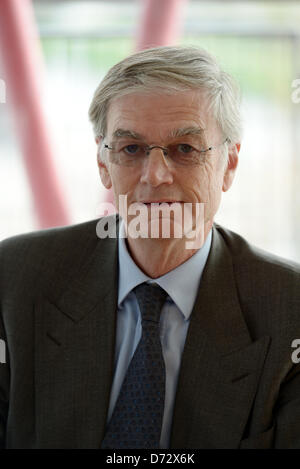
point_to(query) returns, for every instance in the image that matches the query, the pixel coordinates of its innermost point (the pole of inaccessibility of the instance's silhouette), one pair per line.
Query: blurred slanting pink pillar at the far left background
(23, 67)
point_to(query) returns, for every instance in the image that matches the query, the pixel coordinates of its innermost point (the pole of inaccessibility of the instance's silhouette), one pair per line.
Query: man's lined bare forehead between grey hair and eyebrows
(157, 115)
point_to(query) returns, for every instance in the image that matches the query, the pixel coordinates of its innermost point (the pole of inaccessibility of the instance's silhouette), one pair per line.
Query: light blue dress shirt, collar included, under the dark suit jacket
(182, 285)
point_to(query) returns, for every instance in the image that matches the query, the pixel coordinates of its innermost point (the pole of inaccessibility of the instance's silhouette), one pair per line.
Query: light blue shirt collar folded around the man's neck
(181, 283)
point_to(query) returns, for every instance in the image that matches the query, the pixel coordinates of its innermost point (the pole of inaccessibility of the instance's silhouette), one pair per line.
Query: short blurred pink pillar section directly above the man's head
(161, 23)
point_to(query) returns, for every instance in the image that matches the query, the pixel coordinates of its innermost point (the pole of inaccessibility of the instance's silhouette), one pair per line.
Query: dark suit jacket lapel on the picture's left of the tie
(74, 353)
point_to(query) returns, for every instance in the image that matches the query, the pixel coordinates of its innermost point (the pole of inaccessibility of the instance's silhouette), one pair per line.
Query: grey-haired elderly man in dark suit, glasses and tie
(138, 339)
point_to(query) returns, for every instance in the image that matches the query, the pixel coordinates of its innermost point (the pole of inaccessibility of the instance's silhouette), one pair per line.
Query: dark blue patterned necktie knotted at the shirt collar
(137, 418)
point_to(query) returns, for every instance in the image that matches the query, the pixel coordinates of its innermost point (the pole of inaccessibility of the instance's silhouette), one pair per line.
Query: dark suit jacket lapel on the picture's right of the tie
(221, 366)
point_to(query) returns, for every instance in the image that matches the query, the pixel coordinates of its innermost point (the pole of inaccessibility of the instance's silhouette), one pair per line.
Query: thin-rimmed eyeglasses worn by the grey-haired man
(179, 154)
